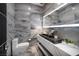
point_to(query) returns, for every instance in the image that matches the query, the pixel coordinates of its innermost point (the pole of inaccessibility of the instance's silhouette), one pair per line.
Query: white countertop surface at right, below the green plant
(70, 49)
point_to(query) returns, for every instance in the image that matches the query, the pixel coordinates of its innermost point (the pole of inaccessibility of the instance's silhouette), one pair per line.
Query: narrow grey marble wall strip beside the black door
(10, 25)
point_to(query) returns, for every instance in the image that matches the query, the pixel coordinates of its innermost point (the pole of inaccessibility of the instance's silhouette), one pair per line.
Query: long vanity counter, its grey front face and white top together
(70, 49)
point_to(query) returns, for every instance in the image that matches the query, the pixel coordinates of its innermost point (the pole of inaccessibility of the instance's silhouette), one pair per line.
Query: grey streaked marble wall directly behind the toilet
(22, 22)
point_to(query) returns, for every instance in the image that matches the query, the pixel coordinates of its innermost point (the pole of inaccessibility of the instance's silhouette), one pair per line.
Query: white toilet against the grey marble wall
(19, 49)
